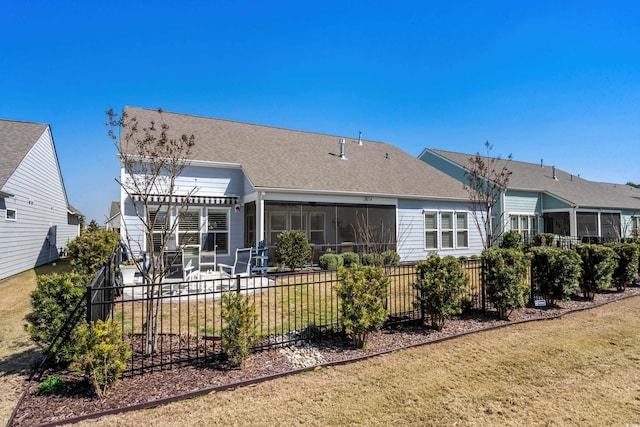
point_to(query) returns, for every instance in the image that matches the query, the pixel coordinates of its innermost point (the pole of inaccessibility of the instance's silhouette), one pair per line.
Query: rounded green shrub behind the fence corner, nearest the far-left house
(91, 250)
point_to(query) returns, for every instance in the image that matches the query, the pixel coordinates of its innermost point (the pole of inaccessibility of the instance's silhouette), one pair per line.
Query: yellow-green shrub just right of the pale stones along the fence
(363, 292)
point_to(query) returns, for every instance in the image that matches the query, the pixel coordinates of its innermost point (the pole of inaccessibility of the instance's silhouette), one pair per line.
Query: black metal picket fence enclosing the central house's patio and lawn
(290, 307)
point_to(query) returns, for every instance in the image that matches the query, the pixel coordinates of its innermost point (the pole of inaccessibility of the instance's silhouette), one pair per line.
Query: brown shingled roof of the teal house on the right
(571, 188)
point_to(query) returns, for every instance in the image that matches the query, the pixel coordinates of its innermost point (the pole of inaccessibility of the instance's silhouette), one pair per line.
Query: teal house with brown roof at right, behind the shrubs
(542, 198)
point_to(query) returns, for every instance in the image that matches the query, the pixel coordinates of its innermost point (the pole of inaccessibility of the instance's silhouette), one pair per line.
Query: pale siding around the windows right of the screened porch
(411, 233)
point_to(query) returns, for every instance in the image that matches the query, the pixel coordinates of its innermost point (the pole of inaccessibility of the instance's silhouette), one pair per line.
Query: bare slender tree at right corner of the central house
(487, 179)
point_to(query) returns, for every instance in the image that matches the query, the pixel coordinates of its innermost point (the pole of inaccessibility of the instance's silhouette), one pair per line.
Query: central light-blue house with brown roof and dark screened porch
(254, 182)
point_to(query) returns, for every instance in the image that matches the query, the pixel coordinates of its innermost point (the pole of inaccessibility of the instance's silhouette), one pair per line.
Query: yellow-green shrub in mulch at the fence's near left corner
(100, 354)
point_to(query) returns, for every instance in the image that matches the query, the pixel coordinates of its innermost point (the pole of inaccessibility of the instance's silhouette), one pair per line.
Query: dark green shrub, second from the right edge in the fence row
(598, 265)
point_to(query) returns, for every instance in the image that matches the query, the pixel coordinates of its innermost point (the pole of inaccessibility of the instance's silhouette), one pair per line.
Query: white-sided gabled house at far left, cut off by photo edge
(36, 220)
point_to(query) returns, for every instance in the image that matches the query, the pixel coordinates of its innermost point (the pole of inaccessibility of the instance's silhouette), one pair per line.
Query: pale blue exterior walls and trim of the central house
(409, 217)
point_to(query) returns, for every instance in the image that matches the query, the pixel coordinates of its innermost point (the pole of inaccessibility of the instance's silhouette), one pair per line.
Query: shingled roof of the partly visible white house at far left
(16, 139)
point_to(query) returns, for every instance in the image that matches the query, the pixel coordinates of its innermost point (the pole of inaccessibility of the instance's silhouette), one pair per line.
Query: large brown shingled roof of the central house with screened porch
(275, 158)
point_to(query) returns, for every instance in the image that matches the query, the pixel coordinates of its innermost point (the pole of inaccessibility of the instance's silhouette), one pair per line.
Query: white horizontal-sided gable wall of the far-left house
(42, 225)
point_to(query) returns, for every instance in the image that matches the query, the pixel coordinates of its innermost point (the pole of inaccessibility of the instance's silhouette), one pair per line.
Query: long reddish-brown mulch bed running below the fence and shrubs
(77, 399)
